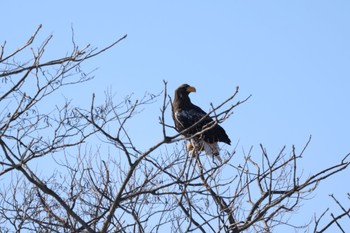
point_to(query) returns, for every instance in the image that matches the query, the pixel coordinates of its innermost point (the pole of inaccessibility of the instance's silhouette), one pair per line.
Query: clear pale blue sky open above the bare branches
(292, 56)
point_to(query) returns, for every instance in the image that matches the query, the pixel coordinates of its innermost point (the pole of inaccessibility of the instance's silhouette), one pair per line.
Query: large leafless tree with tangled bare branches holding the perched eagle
(100, 181)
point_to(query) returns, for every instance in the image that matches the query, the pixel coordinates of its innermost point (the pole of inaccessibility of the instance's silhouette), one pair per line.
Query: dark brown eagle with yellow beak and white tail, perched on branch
(185, 114)
